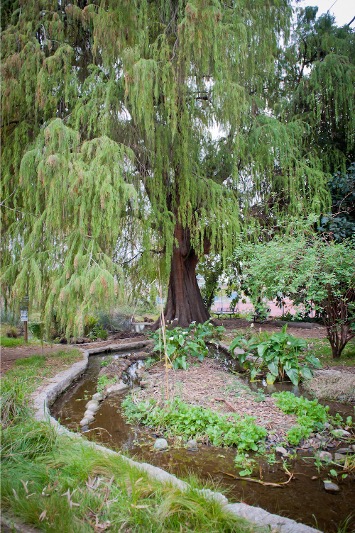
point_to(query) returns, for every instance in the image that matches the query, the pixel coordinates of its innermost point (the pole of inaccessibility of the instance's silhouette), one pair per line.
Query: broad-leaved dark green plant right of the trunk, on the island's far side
(281, 355)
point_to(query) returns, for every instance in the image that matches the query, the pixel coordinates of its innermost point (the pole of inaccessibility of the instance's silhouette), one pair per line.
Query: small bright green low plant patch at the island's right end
(310, 415)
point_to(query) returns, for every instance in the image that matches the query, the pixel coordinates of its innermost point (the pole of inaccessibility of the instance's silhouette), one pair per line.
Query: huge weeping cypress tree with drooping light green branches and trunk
(108, 159)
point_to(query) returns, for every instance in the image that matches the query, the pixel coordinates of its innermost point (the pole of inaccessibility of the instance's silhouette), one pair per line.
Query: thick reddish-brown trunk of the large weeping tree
(184, 303)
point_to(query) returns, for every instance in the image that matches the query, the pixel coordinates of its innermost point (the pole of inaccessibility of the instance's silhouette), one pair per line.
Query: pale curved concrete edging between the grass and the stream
(45, 396)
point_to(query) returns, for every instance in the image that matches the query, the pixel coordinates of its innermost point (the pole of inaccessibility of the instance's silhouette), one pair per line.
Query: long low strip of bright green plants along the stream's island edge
(190, 421)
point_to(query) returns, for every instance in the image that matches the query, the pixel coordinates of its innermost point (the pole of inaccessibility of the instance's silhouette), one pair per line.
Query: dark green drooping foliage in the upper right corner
(320, 77)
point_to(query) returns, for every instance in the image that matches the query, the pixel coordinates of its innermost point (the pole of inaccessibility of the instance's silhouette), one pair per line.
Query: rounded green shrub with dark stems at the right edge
(308, 270)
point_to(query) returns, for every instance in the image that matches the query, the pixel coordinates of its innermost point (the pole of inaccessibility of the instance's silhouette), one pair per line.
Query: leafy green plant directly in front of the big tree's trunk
(184, 342)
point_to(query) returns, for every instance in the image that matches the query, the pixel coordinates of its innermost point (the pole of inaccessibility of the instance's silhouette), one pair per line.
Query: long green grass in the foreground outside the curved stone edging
(56, 483)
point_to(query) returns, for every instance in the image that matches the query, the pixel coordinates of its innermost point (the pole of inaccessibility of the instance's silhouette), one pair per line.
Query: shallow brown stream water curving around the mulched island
(303, 499)
